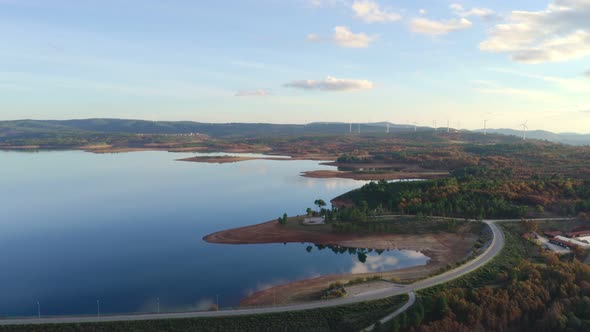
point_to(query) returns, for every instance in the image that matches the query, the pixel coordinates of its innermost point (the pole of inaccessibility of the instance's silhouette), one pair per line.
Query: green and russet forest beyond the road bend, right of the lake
(473, 192)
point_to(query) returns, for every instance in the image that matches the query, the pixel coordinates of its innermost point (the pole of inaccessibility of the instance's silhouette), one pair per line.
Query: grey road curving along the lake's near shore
(492, 250)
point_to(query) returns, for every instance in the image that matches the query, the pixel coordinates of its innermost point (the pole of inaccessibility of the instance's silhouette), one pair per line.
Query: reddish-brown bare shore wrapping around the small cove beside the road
(442, 248)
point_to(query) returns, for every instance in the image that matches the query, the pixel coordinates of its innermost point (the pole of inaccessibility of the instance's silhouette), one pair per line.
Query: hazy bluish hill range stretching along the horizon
(24, 129)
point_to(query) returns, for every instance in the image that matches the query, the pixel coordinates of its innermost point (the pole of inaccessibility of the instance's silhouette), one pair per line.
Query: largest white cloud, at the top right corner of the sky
(559, 33)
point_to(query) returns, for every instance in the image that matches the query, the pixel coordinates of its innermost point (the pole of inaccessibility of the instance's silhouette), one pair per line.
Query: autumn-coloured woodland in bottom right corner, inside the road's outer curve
(523, 289)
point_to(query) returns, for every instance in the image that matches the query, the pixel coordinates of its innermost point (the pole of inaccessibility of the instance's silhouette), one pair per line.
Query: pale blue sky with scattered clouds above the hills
(299, 61)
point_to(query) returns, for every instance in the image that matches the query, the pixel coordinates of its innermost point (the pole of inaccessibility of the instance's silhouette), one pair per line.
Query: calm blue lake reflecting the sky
(127, 229)
